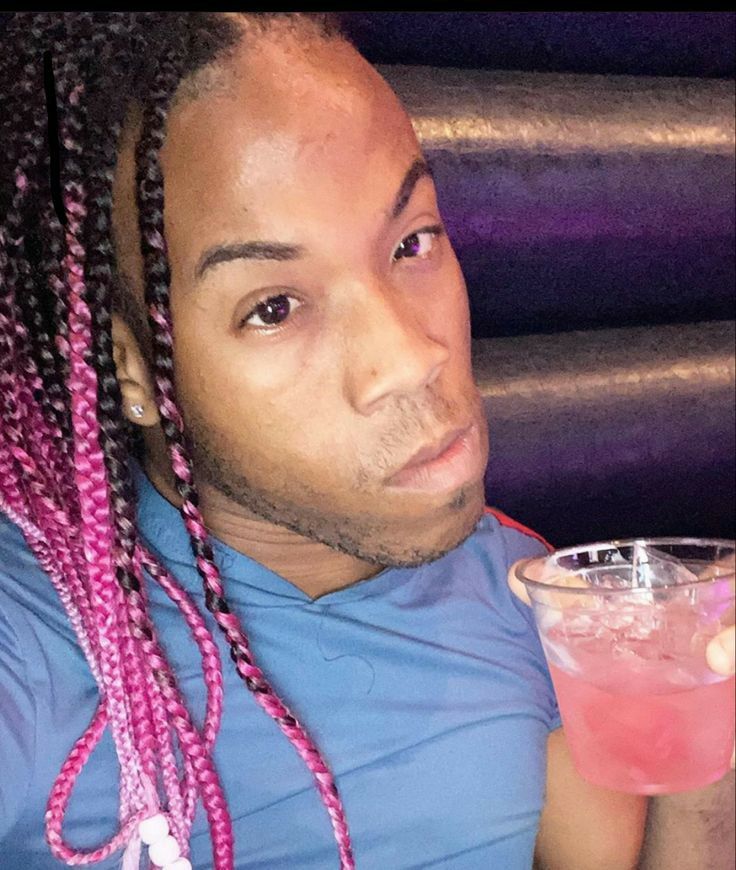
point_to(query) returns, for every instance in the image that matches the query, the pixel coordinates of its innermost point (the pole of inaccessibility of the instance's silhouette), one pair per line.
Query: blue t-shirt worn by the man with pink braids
(425, 689)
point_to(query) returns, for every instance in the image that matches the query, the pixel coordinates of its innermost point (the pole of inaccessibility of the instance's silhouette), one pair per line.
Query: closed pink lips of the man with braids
(453, 461)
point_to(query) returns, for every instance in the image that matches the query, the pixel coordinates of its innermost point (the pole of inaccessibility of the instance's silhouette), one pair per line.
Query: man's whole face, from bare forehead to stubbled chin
(320, 316)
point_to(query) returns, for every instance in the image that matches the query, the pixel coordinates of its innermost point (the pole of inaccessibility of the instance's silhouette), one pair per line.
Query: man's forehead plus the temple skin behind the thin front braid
(290, 135)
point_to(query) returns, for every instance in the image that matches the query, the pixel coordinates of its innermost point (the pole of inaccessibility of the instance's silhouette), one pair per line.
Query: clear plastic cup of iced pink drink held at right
(624, 626)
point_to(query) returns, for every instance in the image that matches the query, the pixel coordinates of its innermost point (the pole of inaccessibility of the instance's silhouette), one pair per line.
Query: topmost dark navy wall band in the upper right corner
(700, 44)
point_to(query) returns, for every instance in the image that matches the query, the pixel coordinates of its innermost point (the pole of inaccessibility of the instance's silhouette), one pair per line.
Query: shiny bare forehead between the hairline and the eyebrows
(288, 116)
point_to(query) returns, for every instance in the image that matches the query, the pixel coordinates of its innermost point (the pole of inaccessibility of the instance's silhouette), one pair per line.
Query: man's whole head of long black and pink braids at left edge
(64, 443)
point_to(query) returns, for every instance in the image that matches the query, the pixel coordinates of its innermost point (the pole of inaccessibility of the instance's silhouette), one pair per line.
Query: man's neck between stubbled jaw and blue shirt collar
(311, 566)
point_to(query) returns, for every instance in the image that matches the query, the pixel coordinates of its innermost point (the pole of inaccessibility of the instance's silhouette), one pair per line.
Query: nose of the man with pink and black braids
(390, 351)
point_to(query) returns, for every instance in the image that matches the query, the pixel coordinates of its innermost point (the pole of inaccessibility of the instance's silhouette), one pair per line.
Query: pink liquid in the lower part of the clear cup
(641, 732)
